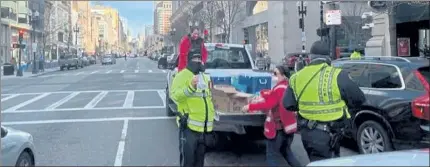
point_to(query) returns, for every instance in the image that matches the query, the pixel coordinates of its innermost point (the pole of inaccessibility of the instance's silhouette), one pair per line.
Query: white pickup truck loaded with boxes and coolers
(232, 59)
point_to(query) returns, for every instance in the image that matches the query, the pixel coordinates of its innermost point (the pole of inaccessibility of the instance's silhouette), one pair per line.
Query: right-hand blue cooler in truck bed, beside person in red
(256, 81)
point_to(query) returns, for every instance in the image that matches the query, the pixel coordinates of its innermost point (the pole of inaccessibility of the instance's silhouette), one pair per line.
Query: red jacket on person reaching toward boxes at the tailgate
(272, 101)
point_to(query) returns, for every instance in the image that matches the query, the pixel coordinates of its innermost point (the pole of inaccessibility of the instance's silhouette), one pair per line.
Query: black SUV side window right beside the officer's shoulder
(358, 73)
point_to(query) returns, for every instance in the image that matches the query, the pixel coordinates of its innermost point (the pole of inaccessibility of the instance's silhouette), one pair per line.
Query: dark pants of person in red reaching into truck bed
(280, 147)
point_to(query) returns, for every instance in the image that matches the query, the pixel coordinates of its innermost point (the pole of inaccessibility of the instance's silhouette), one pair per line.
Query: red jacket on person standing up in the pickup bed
(184, 48)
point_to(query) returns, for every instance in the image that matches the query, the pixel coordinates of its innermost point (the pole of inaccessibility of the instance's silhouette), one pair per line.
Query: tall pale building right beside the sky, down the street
(162, 14)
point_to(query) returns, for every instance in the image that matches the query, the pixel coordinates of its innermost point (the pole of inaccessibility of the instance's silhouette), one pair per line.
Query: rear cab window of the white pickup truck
(227, 58)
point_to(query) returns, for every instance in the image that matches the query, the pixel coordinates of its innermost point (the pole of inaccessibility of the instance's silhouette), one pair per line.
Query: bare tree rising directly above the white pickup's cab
(228, 14)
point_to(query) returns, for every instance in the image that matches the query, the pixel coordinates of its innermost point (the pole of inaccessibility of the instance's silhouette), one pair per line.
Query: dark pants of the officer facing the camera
(192, 148)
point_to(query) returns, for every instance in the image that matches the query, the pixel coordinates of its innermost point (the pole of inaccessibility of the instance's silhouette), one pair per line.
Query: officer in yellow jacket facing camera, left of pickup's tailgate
(190, 90)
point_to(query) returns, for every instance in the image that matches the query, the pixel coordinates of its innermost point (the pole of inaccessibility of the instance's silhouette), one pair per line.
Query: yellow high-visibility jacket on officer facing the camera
(197, 103)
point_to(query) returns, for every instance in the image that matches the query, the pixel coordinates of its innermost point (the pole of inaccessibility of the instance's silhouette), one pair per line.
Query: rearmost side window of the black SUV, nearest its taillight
(384, 76)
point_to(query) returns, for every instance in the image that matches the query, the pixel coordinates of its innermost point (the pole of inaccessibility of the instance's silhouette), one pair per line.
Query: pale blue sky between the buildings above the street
(138, 13)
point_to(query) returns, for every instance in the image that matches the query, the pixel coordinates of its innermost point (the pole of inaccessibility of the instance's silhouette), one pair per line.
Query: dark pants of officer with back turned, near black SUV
(317, 144)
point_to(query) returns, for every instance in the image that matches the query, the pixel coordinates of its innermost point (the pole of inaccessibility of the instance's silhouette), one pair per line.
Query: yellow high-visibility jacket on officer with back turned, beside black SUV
(321, 99)
